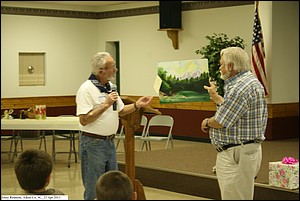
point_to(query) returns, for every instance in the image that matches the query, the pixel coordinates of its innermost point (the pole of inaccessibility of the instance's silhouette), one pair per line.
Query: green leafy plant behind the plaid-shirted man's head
(217, 42)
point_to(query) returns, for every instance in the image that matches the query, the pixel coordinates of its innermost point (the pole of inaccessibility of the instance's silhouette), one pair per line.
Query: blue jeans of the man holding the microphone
(97, 157)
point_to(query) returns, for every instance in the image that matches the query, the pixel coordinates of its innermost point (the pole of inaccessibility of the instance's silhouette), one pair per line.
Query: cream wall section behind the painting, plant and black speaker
(143, 46)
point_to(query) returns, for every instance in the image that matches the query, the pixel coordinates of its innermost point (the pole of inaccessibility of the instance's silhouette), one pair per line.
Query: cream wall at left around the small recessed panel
(68, 43)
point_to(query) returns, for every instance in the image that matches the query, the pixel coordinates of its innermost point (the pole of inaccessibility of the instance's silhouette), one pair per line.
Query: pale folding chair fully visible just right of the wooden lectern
(158, 121)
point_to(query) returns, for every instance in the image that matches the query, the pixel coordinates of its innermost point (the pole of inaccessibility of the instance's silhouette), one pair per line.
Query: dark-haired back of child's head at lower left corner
(33, 169)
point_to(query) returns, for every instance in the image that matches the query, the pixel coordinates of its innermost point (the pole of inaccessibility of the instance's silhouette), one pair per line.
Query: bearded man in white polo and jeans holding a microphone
(98, 108)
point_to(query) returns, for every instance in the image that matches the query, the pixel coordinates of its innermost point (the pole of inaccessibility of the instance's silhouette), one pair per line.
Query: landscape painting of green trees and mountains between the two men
(183, 81)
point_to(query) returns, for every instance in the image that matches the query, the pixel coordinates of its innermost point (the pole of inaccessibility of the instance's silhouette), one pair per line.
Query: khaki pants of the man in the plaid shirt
(236, 169)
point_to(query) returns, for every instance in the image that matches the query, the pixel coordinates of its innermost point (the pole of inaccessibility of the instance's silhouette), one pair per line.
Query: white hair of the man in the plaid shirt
(238, 57)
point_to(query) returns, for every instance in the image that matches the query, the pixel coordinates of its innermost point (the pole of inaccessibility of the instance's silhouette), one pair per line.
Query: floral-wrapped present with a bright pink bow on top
(285, 173)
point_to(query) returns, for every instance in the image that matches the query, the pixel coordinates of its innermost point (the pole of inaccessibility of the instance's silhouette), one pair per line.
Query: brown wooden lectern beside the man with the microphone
(132, 124)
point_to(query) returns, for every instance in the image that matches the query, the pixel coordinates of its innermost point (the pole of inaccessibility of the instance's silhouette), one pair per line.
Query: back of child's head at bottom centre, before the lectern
(114, 185)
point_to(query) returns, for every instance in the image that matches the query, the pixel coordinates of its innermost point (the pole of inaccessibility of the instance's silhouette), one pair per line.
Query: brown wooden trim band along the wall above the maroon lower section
(275, 110)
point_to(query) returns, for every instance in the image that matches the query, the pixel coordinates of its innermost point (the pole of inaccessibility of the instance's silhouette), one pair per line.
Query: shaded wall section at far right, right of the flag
(285, 52)
